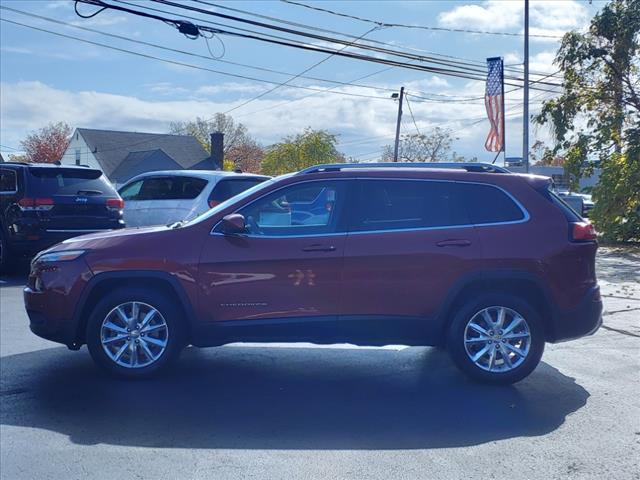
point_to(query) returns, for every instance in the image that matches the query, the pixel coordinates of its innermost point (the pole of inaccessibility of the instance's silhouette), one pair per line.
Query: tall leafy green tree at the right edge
(596, 118)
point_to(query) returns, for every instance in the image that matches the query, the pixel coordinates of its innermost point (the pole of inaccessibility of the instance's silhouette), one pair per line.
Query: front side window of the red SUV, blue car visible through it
(312, 208)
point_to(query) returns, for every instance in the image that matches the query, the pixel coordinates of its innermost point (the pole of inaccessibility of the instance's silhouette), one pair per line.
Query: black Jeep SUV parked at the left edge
(43, 204)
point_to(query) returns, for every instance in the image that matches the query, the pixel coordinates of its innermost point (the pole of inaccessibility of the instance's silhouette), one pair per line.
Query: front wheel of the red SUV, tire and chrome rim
(135, 332)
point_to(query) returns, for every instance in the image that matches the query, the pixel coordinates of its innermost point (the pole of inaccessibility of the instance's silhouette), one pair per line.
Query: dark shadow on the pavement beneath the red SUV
(248, 397)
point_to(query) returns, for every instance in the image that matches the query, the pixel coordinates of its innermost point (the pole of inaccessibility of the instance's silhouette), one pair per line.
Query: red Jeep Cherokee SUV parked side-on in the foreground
(490, 264)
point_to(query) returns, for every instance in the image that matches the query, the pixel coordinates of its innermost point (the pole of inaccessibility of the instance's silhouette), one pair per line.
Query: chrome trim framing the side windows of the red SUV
(526, 217)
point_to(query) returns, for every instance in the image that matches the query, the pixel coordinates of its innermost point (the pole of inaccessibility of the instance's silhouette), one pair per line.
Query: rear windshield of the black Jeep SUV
(45, 182)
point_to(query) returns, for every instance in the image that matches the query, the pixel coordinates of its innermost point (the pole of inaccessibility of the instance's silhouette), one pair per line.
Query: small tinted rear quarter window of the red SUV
(487, 204)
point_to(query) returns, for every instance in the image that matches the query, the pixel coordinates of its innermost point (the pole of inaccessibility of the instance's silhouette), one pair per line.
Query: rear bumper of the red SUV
(584, 320)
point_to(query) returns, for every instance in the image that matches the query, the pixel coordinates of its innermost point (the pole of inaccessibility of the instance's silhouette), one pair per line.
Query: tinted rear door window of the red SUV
(402, 204)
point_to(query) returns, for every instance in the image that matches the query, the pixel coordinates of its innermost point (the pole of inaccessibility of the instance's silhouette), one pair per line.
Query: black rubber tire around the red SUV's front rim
(170, 313)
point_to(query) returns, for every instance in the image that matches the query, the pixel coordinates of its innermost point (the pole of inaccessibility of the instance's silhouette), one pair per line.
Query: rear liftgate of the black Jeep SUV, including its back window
(73, 199)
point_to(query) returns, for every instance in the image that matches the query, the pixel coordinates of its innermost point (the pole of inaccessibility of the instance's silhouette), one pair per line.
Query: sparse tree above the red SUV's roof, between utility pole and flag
(434, 146)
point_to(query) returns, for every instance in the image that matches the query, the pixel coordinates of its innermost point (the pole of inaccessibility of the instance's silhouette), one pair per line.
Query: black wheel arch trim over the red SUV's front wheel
(102, 283)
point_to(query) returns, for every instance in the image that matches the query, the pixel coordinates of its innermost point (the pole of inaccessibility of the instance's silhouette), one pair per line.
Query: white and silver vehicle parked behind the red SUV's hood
(162, 198)
